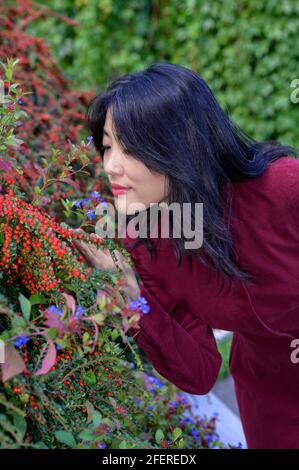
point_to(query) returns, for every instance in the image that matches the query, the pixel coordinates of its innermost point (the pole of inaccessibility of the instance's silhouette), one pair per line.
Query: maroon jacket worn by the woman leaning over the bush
(188, 301)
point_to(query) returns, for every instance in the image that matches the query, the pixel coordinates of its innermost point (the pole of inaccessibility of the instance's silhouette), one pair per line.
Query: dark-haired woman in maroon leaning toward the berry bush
(164, 137)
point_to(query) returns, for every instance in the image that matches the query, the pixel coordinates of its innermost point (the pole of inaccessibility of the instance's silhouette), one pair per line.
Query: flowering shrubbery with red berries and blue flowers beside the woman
(72, 375)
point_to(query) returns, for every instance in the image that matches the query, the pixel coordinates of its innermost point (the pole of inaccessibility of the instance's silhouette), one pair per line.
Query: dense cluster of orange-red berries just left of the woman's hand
(36, 247)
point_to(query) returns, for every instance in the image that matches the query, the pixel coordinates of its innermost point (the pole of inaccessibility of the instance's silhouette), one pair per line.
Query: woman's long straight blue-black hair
(167, 117)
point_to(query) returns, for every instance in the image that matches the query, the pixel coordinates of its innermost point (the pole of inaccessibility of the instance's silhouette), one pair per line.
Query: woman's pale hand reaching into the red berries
(102, 259)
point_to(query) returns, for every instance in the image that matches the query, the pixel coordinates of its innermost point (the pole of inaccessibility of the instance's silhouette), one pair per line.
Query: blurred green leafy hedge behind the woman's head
(247, 51)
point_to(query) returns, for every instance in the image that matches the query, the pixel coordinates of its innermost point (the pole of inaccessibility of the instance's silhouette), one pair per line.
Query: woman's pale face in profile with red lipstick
(143, 185)
